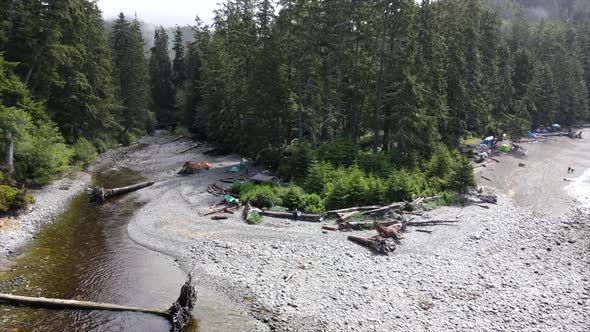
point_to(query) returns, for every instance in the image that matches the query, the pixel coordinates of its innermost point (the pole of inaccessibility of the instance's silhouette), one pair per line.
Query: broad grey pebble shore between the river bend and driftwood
(500, 269)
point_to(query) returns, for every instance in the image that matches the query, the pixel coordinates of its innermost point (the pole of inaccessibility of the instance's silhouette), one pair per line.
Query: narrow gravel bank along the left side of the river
(50, 200)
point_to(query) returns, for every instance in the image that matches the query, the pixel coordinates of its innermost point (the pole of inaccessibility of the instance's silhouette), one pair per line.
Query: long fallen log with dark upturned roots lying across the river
(179, 314)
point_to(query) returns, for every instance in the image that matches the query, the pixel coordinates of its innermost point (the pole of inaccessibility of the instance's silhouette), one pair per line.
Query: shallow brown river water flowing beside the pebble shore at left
(87, 255)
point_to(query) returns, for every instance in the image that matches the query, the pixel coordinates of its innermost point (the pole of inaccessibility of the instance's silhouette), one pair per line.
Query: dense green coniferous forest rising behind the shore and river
(373, 85)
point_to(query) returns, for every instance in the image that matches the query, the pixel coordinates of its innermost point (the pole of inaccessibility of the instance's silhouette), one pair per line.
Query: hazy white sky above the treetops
(161, 12)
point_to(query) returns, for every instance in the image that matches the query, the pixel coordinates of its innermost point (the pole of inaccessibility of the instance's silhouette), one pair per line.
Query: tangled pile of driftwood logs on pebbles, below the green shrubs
(389, 233)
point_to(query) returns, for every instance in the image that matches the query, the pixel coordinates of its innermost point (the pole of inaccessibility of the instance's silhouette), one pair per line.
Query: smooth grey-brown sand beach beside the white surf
(540, 185)
